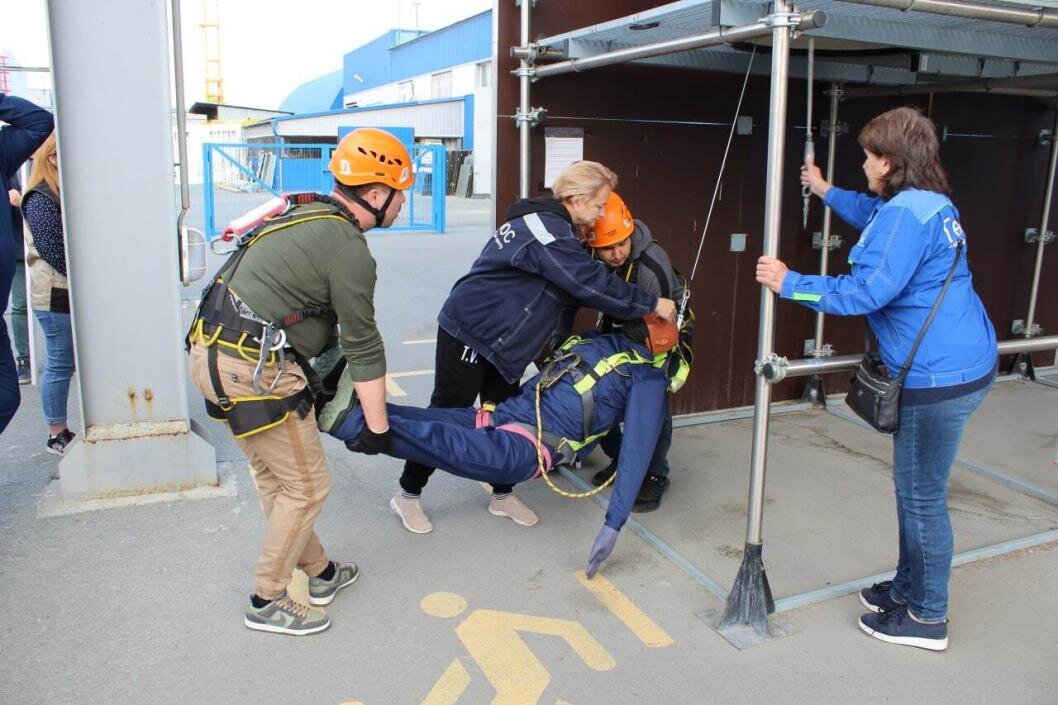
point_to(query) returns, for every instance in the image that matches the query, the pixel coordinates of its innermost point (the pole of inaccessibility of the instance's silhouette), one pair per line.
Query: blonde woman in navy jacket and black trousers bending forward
(500, 315)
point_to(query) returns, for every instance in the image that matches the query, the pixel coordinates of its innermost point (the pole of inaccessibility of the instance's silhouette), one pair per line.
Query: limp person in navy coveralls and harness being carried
(591, 387)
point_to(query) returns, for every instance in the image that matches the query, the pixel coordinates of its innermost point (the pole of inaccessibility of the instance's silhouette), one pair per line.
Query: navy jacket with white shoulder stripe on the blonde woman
(507, 306)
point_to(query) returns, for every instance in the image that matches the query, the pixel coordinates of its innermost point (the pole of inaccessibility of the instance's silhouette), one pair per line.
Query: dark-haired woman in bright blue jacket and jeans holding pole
(910, 234)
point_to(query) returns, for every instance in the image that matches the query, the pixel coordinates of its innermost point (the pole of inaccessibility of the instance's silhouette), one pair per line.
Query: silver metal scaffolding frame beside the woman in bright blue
(745, 618)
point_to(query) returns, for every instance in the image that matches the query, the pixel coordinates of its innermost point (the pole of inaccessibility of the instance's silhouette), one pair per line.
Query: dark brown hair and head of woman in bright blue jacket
(908, 140)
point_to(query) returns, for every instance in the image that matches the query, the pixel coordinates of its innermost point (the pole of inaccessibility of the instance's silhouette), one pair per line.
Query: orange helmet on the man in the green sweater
(369, 155)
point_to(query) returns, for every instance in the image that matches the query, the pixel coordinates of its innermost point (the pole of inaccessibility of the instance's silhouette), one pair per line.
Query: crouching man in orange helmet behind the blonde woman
(626, 246)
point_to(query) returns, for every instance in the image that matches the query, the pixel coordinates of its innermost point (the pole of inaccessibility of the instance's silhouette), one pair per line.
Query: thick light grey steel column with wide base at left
(137, 436)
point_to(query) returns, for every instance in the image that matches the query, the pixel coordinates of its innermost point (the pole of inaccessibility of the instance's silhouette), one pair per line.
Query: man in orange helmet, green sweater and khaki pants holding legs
(270, 310)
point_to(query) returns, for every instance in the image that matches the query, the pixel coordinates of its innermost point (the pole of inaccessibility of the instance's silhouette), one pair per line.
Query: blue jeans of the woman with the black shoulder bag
(924, 448)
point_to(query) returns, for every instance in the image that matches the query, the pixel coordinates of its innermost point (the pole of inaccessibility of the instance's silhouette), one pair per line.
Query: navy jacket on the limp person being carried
(633, 394)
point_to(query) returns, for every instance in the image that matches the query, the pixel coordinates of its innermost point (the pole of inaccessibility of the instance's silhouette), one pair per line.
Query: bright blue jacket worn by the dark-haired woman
(899, 268)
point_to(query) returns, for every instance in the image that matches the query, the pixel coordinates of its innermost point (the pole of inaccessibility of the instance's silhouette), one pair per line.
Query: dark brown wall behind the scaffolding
(668, 172)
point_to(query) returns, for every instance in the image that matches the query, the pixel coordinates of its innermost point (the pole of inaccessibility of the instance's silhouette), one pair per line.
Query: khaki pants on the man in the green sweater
(288, 467)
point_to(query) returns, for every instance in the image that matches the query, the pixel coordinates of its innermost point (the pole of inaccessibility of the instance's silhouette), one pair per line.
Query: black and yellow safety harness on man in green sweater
(226, 322)
